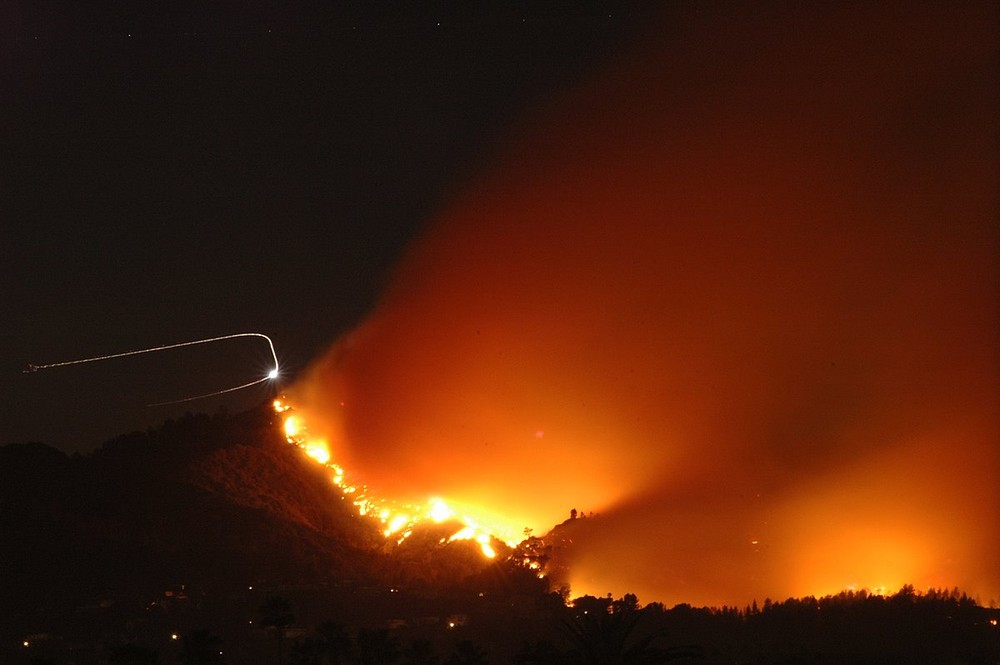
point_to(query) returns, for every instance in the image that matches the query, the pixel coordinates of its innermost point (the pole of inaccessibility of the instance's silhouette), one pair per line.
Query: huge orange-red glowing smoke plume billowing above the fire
(740, 297)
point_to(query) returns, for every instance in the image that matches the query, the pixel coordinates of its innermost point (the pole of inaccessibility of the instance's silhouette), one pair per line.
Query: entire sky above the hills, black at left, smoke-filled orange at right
(728, 277)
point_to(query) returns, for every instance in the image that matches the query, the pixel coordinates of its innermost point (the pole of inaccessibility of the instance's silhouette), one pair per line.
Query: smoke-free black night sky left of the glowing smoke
(190, 170)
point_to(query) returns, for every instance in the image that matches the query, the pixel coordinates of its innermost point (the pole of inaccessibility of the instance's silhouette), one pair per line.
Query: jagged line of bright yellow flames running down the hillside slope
(398, 520)
